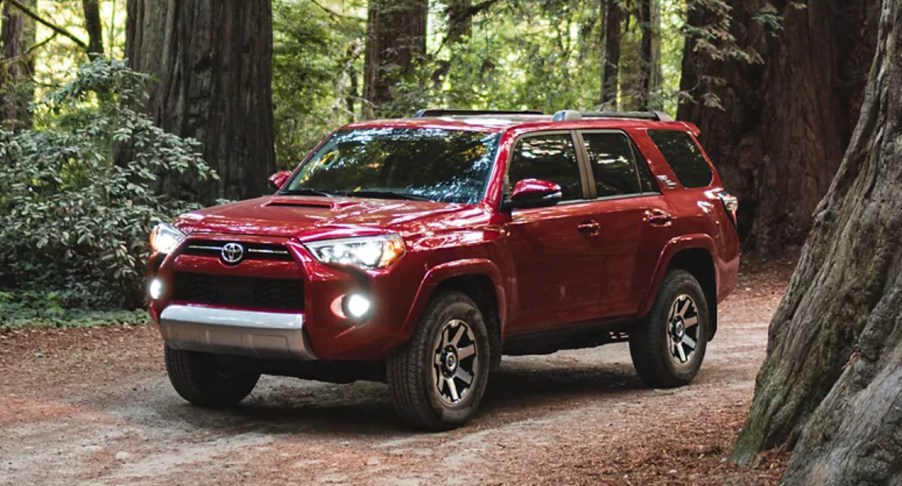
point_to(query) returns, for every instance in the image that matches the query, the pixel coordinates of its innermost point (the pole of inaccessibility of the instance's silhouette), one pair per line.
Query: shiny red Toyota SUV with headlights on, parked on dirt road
(418, 251)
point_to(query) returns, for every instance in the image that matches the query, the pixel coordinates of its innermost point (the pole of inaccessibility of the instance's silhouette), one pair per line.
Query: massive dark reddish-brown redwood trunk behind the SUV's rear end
(784, 124)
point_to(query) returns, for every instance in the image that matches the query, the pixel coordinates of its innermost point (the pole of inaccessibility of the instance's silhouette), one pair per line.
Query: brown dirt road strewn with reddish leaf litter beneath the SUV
(94, 406)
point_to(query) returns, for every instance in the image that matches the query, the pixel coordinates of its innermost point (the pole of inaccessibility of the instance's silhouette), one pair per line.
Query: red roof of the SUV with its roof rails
(498, 123)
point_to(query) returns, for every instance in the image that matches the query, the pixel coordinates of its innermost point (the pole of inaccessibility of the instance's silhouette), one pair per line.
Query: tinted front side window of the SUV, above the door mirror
(550, 158)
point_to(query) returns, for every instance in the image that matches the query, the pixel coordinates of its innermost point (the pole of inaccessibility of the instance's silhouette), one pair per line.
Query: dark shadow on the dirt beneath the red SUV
(286, 406)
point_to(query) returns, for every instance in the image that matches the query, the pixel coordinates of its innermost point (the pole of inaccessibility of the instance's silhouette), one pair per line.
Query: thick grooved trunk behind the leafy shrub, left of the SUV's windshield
(213, 60)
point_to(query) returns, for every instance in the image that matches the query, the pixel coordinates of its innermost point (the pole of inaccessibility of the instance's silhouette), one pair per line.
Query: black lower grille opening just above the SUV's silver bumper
(264, 293)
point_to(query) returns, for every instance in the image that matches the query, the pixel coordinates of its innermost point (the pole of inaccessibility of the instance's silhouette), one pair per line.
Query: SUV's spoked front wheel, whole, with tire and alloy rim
(438, 378)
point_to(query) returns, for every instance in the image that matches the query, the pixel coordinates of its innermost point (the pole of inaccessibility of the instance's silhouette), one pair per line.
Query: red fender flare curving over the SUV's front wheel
(458, 268)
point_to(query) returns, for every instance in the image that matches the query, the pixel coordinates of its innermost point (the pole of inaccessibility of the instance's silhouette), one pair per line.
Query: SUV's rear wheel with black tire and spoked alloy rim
(669, 345)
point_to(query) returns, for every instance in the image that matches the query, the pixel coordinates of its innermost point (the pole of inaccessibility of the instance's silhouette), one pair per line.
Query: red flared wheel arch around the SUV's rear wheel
(694, 254)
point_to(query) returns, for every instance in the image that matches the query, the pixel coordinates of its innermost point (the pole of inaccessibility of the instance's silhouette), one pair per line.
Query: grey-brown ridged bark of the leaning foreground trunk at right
(832, 382)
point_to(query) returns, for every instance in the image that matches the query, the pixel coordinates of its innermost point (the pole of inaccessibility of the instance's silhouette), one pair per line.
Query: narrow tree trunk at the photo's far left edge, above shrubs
(17, 35)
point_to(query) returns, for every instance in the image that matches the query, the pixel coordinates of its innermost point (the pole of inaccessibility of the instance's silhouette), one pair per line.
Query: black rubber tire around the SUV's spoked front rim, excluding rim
(409, 371)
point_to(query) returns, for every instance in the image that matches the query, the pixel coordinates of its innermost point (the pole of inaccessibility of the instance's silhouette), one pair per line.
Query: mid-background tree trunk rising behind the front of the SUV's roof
(396, 37)
